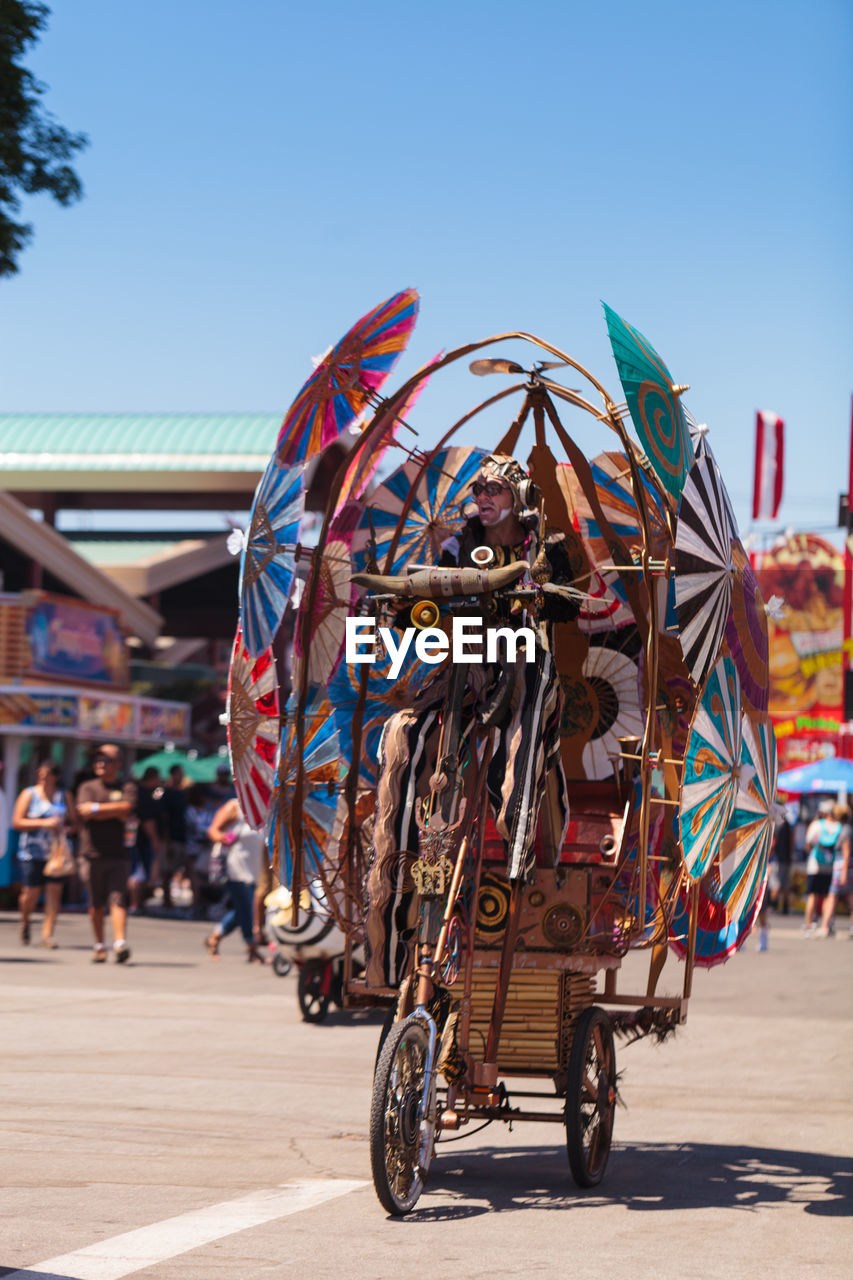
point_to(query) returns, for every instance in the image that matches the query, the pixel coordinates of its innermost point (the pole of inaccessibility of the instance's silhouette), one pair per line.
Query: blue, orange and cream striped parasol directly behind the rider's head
(439, 492)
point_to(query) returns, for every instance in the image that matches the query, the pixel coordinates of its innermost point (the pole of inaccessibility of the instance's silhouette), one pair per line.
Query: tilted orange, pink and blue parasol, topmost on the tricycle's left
(348, 380)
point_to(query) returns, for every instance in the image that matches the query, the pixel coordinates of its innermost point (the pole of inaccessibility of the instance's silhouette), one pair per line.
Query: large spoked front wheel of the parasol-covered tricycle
(402, 1140)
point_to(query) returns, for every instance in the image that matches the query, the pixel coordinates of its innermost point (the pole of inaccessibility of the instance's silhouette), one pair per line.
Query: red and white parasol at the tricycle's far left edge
(253, 729)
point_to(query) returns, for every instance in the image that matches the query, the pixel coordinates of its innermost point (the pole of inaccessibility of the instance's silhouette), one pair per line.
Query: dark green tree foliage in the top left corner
(35, 150)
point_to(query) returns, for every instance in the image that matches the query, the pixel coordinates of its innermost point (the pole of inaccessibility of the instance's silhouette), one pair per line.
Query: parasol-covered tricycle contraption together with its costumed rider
(527, 733)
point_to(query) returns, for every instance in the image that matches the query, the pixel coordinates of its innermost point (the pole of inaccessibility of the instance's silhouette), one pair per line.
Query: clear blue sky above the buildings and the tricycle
(262, 175)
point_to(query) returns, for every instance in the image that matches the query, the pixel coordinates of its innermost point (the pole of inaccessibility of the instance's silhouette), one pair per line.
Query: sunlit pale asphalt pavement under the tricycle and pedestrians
(176, 1121)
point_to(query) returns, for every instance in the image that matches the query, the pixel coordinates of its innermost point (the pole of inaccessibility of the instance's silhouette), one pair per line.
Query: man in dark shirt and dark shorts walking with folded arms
(104, 807)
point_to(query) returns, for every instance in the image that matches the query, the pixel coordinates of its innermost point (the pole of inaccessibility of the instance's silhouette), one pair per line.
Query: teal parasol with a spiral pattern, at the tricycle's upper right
(653, 401)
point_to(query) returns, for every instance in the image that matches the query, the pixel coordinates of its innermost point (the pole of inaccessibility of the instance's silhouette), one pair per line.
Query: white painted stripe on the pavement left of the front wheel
(134, 1251)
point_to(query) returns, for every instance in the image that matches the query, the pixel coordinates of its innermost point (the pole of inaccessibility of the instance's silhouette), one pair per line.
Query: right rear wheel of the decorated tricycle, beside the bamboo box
(591, 1098)
